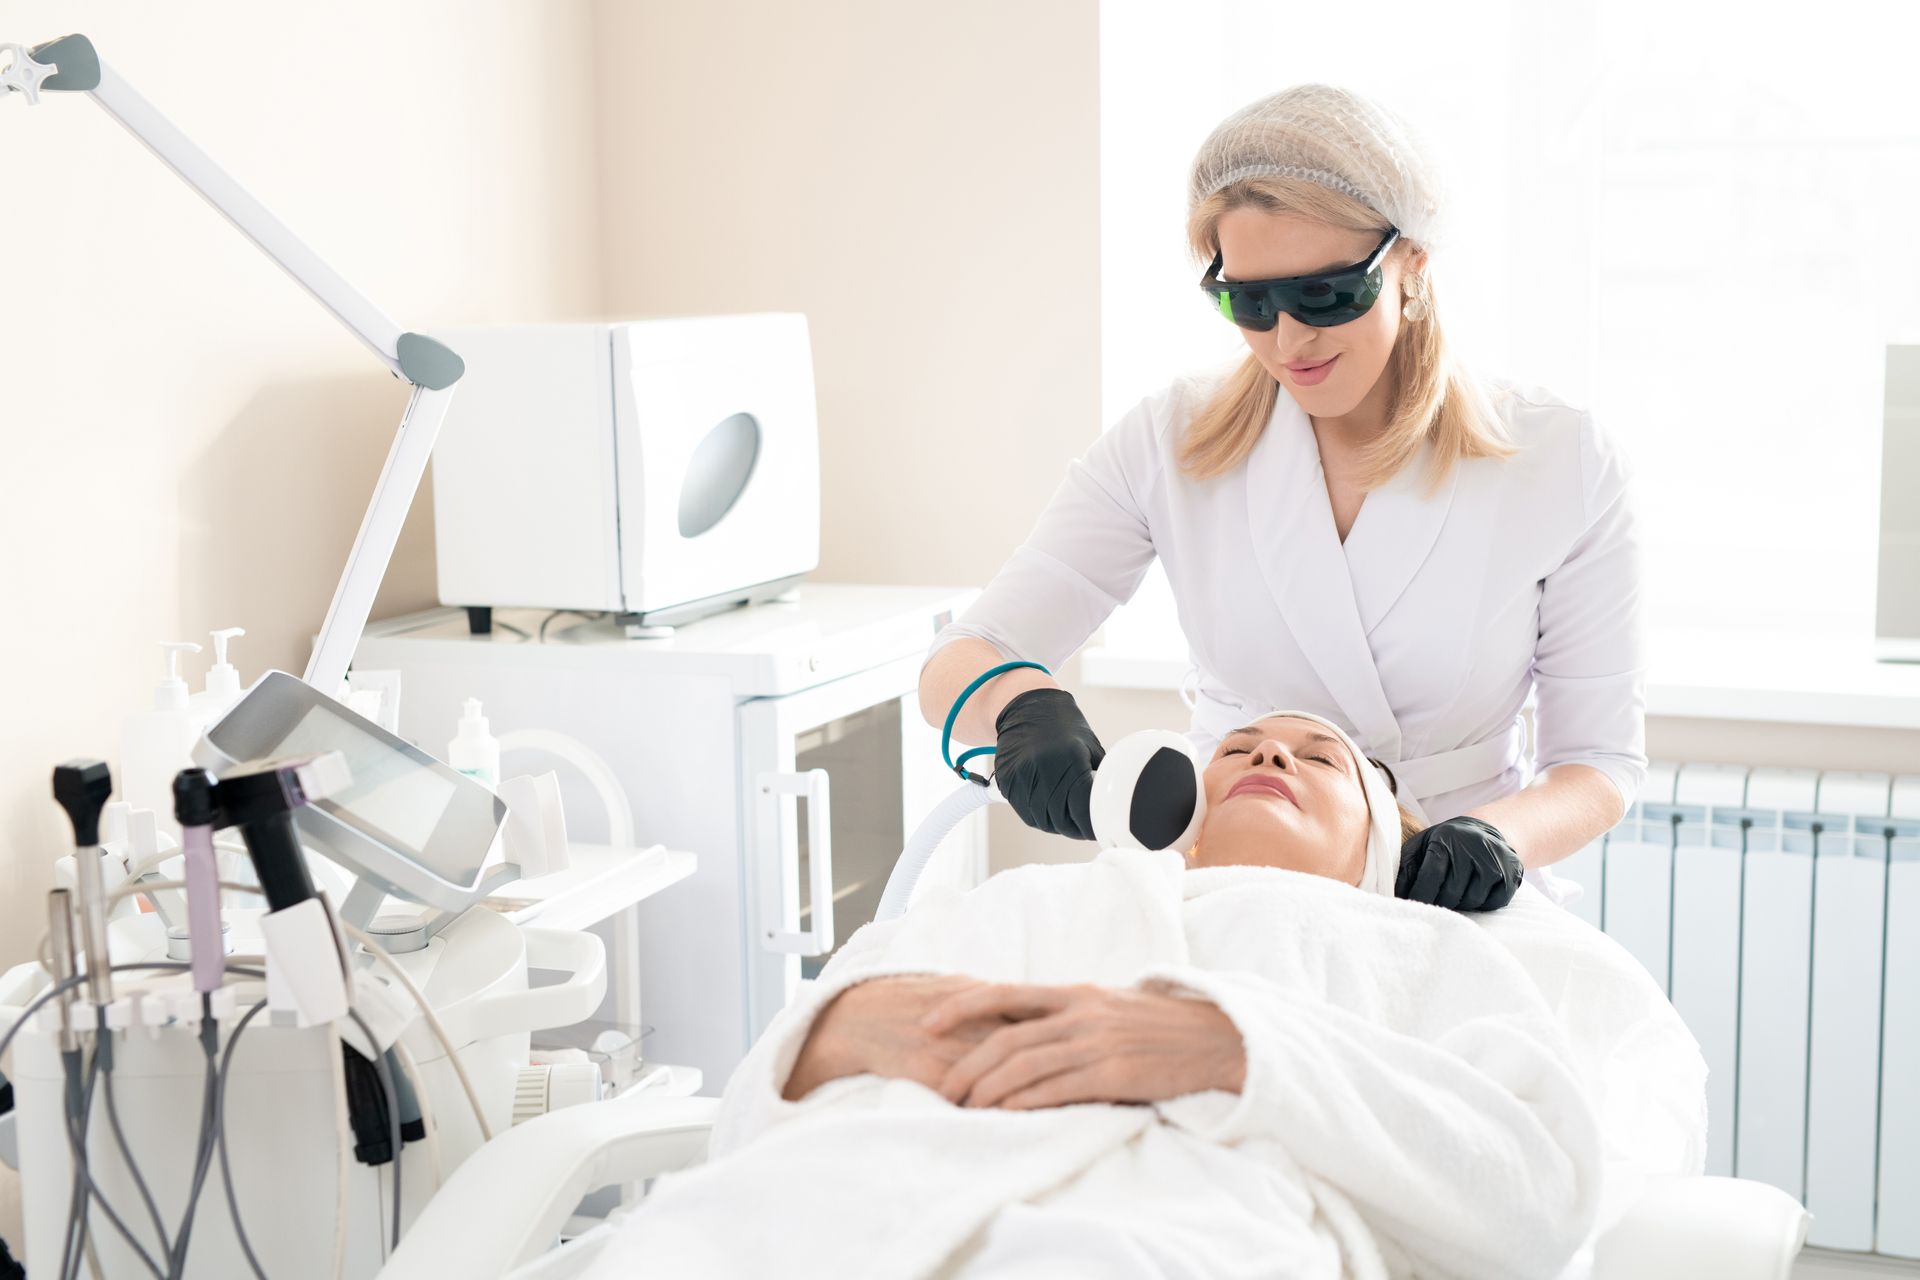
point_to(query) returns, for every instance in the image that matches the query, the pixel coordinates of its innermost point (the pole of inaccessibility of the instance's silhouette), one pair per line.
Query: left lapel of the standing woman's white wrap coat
(1301, 557)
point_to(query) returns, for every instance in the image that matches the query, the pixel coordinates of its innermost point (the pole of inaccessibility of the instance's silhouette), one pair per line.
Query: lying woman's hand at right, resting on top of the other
(1067, 1045)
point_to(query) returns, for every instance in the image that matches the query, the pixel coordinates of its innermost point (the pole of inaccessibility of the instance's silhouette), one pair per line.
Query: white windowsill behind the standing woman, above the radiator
(1704, 675)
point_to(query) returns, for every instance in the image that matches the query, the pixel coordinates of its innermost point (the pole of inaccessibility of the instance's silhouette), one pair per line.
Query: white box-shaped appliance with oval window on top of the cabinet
(652, 469)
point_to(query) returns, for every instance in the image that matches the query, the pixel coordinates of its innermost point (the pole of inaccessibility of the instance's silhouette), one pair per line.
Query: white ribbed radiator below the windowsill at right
(1781, 913)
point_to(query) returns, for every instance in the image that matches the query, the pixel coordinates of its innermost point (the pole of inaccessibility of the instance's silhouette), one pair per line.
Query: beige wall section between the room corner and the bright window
(923, 181)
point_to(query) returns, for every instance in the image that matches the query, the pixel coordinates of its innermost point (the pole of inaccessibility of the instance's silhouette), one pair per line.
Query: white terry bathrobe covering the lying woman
(1412, 1102)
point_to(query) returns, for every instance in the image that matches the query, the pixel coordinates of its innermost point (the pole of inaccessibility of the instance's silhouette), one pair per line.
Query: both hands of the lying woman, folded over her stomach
(1022, 1047)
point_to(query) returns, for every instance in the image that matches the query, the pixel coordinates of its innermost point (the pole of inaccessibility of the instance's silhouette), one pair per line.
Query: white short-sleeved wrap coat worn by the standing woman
(1422, 636)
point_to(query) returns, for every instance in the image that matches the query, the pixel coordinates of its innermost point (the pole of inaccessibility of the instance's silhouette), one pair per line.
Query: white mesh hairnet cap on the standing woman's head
(1335, 139)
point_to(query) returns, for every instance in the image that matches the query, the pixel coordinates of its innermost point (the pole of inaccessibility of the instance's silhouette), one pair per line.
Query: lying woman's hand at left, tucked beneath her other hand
(875, 1028)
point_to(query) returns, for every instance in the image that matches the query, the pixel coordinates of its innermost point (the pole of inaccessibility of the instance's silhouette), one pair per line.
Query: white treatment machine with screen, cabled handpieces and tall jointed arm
(370, 1035)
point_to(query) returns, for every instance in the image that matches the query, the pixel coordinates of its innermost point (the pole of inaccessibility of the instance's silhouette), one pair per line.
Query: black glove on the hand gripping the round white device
(1044, 763)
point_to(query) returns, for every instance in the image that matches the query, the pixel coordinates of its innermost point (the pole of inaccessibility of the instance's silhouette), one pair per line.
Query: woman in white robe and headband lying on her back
(1251, 1062)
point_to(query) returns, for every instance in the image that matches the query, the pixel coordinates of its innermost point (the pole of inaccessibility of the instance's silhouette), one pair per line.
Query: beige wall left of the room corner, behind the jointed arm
(187, 440)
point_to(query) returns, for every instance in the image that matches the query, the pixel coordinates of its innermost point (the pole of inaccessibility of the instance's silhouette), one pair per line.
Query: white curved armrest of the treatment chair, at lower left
(508, 1202)
